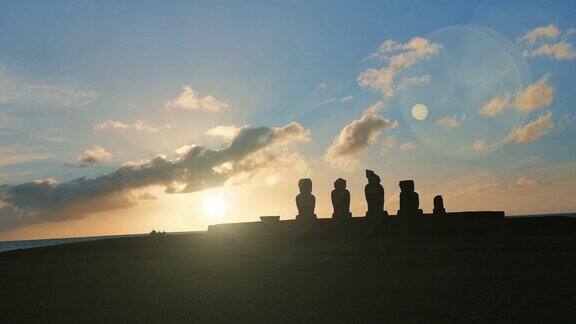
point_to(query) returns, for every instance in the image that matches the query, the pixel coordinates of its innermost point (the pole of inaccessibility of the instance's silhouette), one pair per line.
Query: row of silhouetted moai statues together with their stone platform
(409, 218)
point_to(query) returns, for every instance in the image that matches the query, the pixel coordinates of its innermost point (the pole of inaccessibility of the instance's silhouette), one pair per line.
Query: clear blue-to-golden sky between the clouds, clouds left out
(68, 66)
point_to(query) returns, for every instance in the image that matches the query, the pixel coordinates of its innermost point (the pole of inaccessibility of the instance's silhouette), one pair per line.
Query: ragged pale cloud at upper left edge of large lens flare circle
(399, 57)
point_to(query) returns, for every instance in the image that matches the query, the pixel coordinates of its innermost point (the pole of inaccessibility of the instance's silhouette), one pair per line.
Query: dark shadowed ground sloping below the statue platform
(524, 273)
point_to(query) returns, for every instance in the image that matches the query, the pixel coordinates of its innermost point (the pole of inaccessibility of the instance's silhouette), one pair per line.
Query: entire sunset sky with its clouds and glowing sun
(123, 117)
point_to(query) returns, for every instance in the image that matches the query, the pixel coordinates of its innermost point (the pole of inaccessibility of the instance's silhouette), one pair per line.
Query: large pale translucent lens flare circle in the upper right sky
(474, 65)
